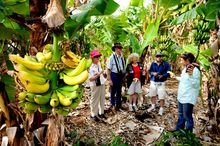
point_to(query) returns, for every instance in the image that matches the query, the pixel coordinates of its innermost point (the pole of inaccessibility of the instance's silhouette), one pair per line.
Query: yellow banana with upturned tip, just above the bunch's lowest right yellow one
(74, 72)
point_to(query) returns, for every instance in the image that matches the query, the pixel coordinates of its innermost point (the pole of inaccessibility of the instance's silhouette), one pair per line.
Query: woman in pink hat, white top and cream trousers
(97, 84)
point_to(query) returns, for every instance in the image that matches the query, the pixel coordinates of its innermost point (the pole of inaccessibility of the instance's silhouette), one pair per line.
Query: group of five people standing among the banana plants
(133, 71)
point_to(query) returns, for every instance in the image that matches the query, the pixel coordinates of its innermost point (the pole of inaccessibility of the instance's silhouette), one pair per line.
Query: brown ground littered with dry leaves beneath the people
(135, 128)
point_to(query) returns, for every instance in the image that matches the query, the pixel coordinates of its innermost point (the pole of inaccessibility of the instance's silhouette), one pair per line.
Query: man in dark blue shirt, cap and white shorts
(158, 75)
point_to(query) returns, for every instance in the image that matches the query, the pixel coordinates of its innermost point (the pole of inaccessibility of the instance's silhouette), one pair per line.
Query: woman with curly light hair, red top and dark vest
(135, 79)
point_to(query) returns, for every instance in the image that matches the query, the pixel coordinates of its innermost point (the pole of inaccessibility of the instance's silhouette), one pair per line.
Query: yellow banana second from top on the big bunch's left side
(30, 78)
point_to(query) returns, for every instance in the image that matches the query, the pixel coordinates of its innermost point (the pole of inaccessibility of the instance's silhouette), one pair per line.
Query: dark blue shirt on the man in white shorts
(161, 69)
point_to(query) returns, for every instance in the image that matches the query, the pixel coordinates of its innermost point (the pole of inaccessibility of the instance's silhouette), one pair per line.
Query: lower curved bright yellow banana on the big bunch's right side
(76, 79)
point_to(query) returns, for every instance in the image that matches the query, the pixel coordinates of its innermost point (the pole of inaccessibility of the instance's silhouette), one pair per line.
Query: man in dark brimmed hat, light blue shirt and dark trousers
(115, 75)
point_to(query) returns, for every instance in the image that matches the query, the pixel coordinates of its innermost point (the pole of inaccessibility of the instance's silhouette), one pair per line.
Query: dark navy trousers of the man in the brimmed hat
(116, 89)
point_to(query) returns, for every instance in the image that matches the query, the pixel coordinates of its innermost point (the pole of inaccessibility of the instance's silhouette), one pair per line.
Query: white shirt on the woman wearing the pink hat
(94, 69)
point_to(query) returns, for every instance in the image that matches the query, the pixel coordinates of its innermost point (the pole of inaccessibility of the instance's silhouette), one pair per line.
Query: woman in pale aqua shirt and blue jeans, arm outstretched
(188, 91)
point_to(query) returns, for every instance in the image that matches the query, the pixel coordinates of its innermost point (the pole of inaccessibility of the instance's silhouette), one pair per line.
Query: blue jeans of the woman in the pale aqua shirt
(185, 119)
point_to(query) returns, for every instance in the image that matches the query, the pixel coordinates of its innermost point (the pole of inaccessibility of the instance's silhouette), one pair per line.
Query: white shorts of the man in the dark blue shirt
(157, 88)
